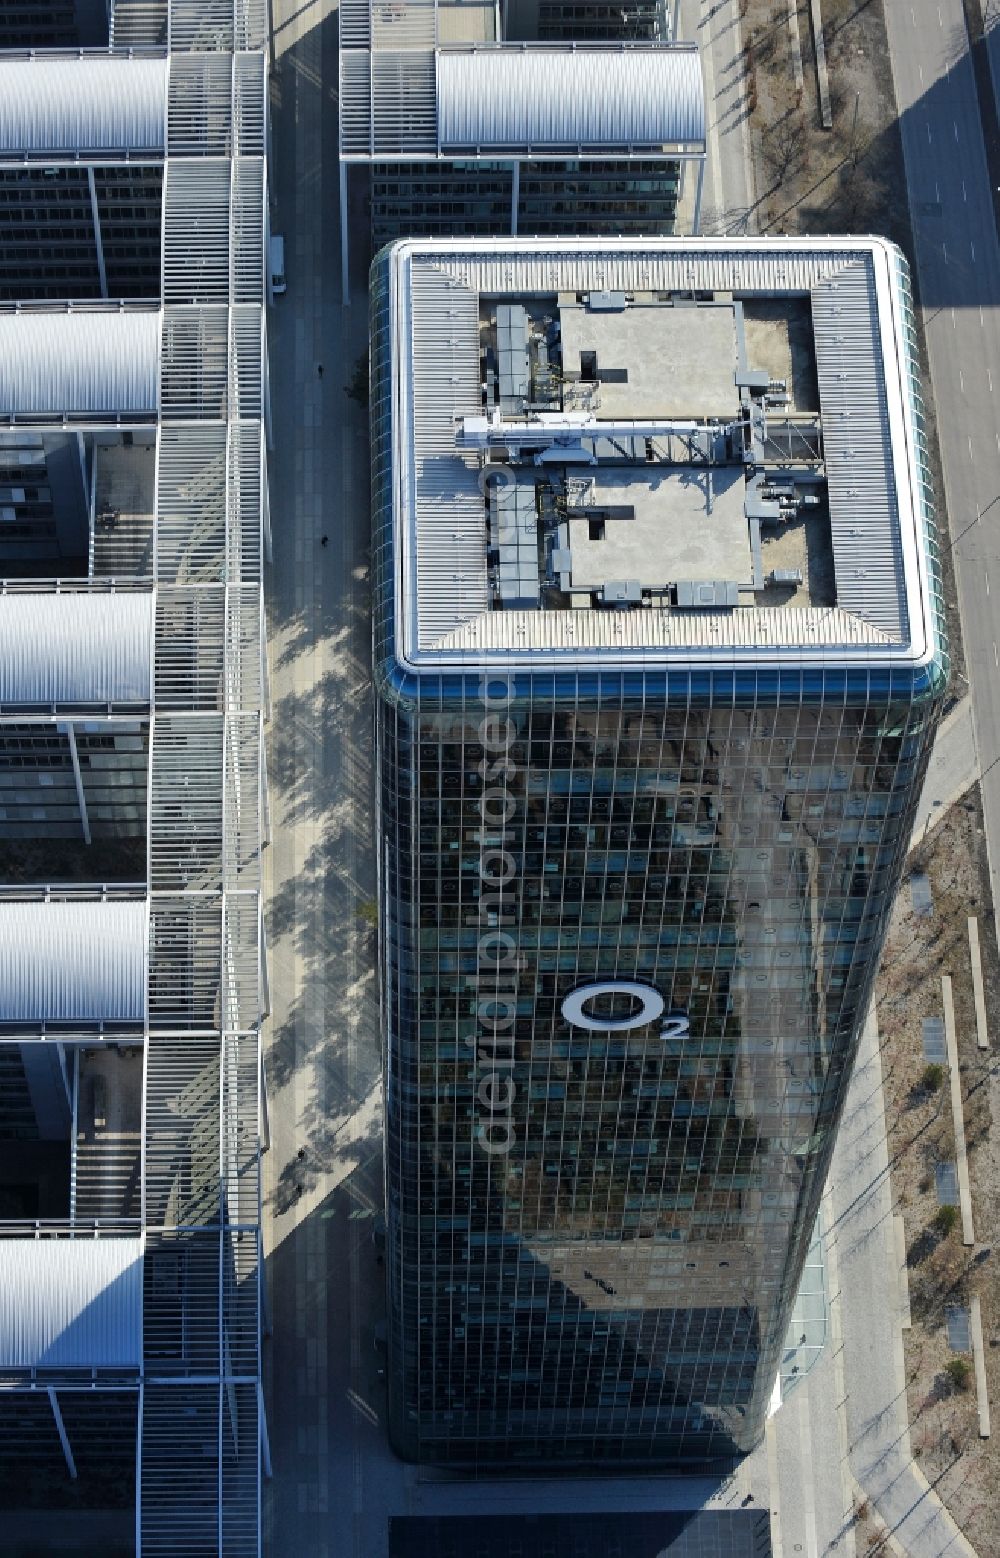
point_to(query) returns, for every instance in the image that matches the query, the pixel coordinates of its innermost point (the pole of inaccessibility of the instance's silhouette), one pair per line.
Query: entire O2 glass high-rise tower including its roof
(660, 660)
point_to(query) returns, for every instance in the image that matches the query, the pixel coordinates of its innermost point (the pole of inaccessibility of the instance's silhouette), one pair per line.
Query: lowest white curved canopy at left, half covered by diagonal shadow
(71, 1303)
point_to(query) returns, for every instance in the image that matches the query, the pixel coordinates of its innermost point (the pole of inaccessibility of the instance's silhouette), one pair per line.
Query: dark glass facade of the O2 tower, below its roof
(596, 1238)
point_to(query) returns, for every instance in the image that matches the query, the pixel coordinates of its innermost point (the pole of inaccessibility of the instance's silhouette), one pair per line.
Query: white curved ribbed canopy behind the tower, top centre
(557, 97)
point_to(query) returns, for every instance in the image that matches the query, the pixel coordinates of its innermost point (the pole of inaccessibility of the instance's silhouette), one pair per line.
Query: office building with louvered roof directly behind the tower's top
(532, 118)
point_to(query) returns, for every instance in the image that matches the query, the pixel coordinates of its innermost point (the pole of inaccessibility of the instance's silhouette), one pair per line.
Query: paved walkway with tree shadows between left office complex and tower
(323, 1176)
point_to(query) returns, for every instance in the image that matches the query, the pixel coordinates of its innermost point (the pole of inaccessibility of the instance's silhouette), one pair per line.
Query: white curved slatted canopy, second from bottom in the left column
(74, 962)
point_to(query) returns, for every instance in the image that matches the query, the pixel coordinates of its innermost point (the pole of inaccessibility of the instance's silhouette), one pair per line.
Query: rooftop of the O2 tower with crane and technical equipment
(685, 446)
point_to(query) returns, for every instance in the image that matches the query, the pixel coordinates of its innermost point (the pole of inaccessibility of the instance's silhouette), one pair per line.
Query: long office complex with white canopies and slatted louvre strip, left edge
(133, 788)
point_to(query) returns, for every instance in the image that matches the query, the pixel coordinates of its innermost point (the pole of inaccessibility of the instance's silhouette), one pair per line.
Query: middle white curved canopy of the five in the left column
(76, 649)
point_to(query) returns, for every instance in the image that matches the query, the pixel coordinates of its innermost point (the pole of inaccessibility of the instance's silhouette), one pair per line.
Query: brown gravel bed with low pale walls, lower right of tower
(943, 1272)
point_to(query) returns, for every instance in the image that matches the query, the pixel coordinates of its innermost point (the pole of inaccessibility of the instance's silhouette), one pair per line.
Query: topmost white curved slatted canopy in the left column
(79, 107)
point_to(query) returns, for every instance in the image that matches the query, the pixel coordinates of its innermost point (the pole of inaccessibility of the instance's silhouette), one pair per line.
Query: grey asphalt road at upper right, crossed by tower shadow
(959, 270)
